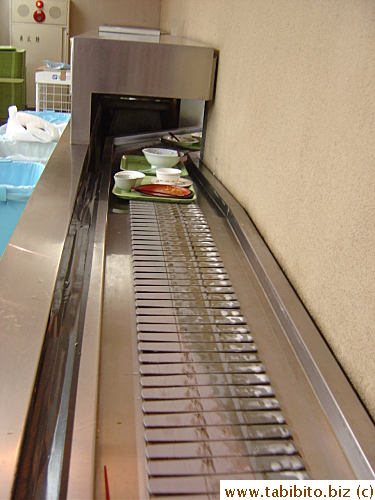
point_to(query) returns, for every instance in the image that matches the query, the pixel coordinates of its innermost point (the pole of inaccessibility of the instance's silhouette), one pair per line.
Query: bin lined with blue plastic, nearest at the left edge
(17, 182)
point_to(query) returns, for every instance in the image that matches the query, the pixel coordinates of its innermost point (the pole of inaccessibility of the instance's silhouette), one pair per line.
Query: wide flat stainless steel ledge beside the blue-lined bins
(28, 272)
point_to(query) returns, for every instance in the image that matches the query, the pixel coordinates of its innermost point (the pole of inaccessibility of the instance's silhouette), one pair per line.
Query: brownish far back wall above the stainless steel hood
(86, 15)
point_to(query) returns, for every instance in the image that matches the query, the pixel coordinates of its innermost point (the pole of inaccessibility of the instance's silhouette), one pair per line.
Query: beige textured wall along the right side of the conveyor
(292, 135)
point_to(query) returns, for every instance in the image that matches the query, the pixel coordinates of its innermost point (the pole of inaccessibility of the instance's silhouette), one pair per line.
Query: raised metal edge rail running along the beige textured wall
(351, 424)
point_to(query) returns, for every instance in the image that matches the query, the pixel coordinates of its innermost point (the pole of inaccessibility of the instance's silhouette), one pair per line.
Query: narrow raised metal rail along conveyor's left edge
(82, 460)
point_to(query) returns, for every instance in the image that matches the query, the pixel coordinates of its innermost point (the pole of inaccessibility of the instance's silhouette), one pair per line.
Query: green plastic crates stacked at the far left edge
(12, 79)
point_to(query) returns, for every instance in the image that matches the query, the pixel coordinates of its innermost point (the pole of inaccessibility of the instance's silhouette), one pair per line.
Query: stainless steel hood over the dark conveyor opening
(173, 68)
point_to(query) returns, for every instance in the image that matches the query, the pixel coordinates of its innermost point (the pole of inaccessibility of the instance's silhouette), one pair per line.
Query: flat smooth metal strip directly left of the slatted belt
(119, 444)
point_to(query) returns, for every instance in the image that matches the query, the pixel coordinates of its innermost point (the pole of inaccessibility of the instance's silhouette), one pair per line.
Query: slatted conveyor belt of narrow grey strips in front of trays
(209, 408)
